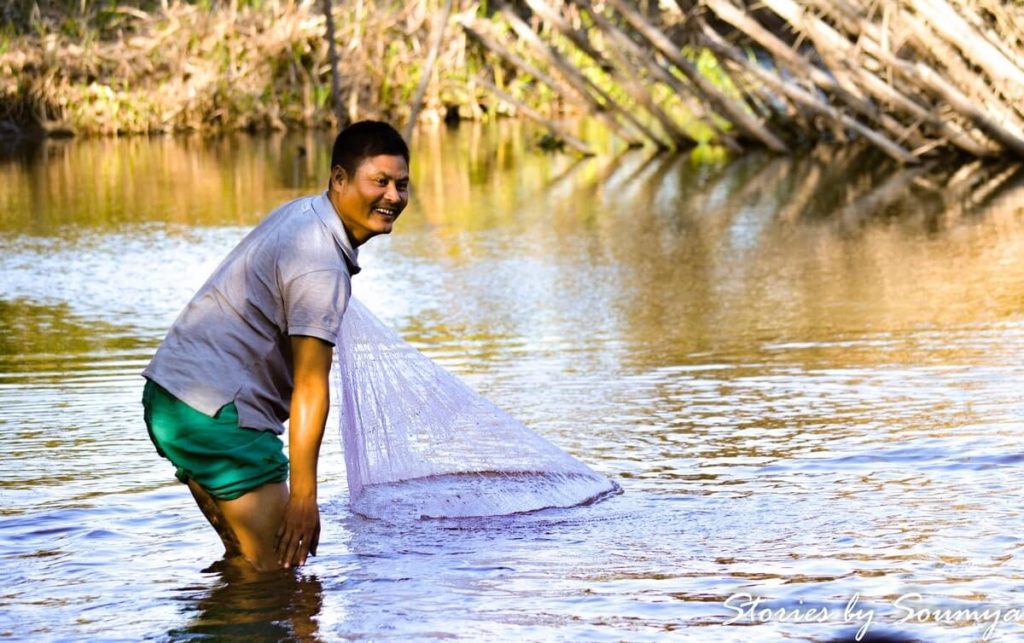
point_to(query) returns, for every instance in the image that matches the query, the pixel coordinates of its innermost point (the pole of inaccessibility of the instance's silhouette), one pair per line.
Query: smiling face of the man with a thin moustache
(372, 199)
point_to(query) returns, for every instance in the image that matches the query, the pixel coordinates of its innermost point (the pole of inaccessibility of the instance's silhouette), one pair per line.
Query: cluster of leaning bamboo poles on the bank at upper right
(916, 79)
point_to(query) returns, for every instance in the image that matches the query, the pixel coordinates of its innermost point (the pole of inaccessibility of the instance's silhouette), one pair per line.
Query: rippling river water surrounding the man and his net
(805, 373)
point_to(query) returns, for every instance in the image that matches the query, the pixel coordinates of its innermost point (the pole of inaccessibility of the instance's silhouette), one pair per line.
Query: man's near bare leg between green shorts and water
(254, 520)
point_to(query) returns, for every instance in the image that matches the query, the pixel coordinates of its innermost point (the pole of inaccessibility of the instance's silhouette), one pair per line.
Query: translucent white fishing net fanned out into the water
(420, 444)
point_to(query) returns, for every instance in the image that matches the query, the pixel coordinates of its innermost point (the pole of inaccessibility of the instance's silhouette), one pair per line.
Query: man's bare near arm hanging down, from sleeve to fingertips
(300, 532)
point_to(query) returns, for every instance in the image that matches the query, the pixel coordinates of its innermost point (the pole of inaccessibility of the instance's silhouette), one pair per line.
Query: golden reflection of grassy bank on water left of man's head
(63, 187)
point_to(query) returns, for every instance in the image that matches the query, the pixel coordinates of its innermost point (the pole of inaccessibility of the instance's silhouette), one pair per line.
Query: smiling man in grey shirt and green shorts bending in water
(254, 349)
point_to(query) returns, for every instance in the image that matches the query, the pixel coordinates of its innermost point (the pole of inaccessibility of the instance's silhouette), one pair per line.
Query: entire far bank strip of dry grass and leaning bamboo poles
(915, 79)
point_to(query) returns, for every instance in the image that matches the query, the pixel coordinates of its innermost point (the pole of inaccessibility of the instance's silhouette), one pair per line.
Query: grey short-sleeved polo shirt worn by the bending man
(290, 276)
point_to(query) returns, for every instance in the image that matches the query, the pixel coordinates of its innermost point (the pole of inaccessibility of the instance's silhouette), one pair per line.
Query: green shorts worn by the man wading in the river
(225, 459)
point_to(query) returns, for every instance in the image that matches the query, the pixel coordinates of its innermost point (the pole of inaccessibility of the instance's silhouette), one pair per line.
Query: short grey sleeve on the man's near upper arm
(315, 304)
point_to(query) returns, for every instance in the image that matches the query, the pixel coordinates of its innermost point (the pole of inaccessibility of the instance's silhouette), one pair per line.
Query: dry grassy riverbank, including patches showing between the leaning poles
(267, 66)
